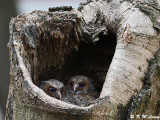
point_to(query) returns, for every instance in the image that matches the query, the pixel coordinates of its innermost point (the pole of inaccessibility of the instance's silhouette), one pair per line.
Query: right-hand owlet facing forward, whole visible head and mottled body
(80, 90)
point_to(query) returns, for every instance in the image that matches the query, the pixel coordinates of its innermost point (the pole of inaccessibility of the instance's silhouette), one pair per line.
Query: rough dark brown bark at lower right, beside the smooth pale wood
(147, 102)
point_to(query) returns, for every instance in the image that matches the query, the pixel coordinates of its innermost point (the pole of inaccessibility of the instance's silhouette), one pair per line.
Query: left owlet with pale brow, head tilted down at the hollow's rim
(54, 88)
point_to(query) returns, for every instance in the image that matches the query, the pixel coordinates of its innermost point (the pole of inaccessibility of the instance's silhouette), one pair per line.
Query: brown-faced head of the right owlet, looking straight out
(80, 84)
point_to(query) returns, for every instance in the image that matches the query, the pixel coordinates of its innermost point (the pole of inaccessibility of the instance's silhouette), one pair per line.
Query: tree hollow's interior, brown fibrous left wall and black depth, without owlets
(56, 49)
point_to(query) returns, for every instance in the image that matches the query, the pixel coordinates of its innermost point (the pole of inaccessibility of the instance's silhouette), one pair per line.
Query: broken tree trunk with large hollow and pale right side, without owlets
(110, 41)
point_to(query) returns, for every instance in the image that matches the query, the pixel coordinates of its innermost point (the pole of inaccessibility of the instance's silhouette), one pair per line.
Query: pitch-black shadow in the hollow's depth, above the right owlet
(92, 60)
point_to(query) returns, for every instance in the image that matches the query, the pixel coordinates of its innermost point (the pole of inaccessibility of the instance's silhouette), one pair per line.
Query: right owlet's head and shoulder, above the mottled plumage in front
(81, 85)
